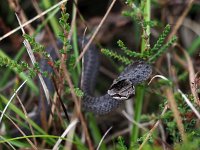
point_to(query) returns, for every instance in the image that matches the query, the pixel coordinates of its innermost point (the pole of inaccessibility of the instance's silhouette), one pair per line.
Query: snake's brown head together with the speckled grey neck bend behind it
(123, 87)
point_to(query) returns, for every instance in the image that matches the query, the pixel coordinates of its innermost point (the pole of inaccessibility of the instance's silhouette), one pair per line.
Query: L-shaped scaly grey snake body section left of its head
(98, 105)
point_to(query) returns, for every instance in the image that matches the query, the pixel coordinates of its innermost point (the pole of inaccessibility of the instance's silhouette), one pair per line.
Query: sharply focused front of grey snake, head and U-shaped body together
(121, 89)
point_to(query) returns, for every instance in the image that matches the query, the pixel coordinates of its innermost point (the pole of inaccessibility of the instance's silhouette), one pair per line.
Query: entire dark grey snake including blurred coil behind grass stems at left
(122, 88)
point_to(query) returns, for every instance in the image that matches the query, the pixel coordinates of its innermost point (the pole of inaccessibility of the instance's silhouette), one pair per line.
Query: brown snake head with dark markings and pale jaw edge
(121, 89)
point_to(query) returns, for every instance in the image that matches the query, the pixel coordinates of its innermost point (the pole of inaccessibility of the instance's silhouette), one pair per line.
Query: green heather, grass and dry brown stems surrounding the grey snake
(164, 113)
